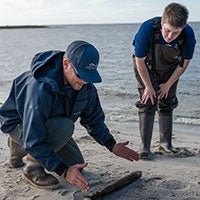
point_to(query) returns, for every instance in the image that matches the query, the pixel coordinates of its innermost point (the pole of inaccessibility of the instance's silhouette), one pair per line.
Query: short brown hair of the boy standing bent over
(176, 15)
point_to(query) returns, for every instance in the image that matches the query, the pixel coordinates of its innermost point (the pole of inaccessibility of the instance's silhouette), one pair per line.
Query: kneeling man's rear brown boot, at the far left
(17, 152)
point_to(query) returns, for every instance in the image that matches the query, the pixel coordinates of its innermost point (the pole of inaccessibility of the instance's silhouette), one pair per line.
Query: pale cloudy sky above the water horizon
(45, 12)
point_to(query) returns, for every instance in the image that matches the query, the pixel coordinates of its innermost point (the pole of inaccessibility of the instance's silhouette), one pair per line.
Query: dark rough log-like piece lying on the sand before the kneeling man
(132, 177)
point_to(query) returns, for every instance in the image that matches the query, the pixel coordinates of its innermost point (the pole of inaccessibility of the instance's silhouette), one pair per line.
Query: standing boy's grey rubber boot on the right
(165, 129)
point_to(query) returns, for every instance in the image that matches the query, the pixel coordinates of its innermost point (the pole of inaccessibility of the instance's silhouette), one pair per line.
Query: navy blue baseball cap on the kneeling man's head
(84, 58)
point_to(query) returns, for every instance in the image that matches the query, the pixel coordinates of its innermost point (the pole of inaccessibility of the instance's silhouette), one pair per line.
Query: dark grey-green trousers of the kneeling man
(58, 137)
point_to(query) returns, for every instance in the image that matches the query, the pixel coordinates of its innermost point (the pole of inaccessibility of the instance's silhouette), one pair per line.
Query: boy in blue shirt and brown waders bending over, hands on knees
(164, 47)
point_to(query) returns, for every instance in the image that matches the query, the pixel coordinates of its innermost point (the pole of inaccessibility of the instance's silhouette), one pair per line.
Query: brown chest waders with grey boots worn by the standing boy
(161, 62)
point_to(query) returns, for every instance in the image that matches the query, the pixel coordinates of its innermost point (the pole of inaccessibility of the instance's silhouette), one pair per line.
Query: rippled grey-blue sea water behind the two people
(117, 92)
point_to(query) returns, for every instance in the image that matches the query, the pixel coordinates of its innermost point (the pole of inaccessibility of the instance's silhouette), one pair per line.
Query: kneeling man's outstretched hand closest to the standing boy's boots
(122, 151)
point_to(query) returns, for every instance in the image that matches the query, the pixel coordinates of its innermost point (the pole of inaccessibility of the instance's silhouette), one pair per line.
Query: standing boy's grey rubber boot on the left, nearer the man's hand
(146, 121)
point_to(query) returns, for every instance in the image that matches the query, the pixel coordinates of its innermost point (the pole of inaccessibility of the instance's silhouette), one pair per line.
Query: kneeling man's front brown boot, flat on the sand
(35, 174)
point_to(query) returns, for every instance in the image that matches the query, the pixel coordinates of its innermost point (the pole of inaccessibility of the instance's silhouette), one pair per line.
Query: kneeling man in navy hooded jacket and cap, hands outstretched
(41, 110)
